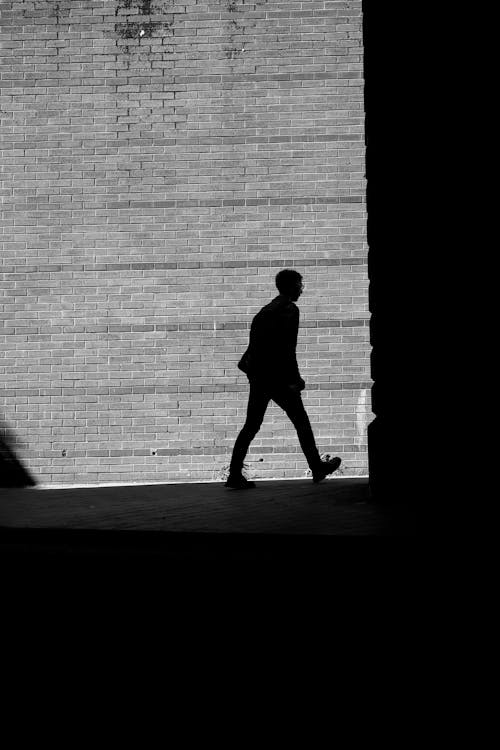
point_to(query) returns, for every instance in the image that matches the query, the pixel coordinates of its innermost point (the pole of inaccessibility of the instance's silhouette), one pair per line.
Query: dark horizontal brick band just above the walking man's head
(179, 265)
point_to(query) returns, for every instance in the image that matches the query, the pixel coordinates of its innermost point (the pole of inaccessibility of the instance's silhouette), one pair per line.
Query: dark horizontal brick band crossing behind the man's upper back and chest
(23, 330)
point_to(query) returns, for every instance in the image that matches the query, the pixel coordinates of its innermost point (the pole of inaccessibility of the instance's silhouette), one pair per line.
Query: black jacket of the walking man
(271, 354)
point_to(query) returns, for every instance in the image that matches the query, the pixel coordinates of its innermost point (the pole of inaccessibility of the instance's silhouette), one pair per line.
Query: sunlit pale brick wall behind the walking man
(161, 161)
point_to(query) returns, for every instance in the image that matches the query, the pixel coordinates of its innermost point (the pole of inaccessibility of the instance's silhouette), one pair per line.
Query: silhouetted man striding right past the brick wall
(270, 364)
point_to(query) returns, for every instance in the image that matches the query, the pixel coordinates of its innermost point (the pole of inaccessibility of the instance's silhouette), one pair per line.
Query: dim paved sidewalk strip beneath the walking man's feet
(178, 519)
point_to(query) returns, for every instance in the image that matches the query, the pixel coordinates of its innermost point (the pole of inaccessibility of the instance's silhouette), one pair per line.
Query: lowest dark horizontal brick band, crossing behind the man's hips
(161, 389)
